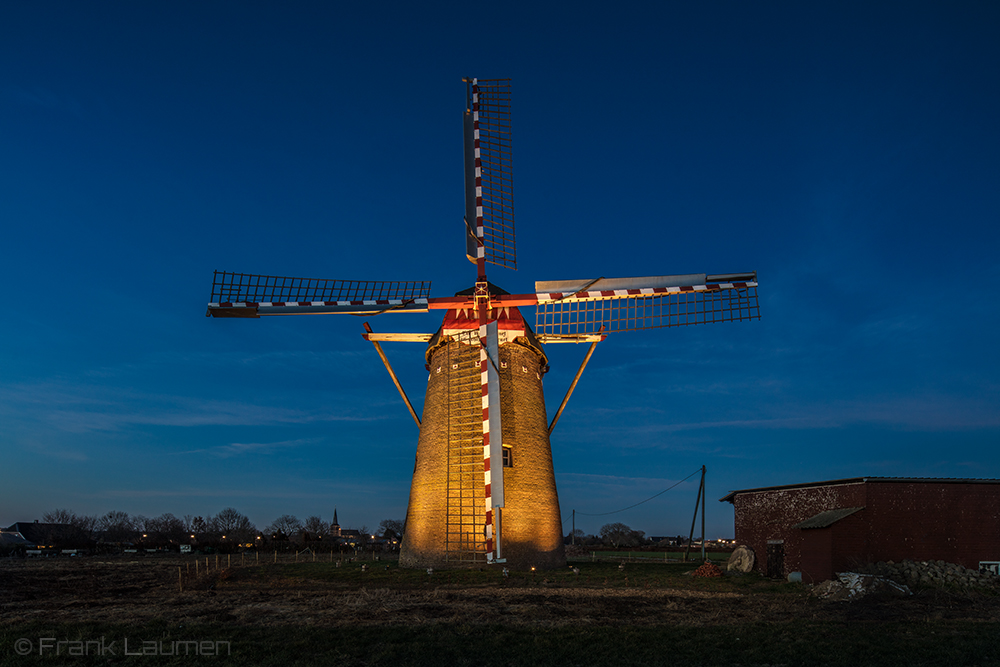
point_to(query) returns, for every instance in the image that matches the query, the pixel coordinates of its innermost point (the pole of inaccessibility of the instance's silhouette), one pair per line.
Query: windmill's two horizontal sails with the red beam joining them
(564, 309)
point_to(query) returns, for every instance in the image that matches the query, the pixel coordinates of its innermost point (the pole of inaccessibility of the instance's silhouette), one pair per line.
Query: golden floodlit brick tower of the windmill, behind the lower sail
(445, 517)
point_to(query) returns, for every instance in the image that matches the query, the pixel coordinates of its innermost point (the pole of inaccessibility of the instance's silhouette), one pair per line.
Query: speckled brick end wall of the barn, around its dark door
(769, 515)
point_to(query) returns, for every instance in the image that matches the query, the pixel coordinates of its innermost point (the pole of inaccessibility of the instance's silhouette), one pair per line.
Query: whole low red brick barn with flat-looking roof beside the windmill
(824, 527)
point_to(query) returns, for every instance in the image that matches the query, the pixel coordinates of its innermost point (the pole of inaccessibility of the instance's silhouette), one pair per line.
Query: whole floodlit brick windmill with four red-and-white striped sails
(483, 488)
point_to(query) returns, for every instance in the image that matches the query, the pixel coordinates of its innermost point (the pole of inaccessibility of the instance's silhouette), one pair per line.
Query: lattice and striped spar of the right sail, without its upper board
(632, 310)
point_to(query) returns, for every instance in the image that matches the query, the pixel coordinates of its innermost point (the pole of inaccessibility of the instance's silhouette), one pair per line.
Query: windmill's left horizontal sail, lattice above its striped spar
(252, 295)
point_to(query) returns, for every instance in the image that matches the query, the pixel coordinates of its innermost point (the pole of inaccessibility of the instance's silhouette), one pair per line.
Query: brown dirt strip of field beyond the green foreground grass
(138, 591)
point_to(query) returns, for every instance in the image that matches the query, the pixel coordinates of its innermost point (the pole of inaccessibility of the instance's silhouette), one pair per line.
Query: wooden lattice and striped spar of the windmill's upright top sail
(494, 171)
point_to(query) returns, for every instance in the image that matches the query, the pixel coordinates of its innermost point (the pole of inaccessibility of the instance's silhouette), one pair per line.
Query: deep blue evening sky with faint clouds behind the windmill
(847, 152)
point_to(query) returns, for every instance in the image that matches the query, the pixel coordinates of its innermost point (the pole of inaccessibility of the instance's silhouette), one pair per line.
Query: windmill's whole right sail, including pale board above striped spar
(626, 304)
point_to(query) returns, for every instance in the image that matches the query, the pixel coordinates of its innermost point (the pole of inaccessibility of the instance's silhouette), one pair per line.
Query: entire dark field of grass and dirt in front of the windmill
(321, 614)
